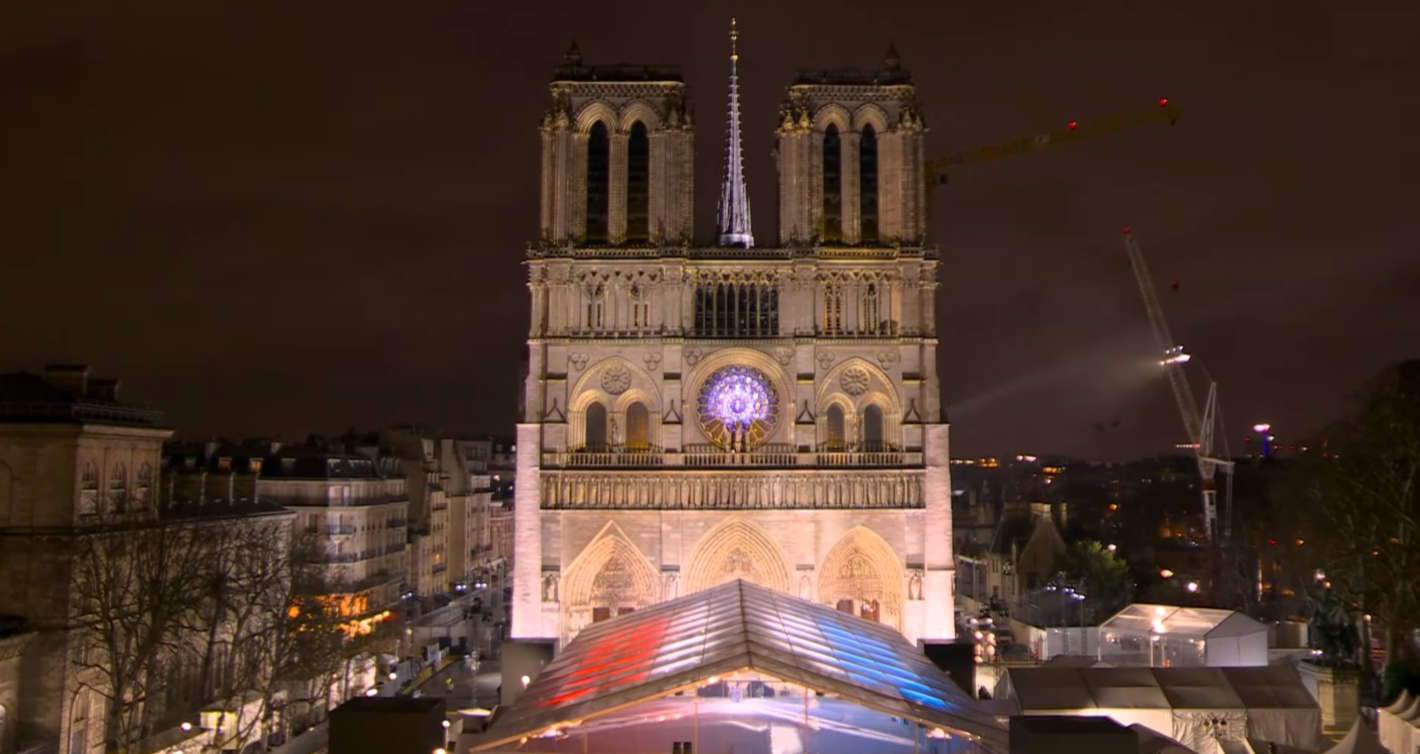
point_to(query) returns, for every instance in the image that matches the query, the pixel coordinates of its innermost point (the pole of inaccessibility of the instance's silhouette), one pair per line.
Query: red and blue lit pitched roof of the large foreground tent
(738, 625)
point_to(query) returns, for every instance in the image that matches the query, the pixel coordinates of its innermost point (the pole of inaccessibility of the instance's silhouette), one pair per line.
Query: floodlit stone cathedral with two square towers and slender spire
(748, 411)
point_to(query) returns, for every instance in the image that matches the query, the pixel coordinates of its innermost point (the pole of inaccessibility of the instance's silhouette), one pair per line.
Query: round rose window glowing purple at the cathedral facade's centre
(738, 408)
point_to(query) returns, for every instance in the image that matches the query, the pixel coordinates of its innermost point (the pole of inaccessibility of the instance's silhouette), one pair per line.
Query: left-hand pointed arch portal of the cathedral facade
(611, 577)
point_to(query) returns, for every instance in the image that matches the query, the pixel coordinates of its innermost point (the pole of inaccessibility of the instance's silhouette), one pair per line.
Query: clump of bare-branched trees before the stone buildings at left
(228, 607)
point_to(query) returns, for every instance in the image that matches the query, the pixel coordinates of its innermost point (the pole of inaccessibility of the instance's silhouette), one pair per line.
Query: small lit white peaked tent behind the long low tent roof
(1172, 637)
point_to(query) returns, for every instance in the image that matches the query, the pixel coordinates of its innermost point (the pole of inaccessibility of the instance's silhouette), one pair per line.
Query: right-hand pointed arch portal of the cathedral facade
(864, 576)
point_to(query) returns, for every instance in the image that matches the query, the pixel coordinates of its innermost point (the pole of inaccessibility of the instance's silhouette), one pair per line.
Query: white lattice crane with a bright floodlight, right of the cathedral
(1199, 425)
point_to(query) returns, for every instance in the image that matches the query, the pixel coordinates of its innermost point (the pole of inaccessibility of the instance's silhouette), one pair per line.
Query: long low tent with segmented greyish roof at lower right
(1198, 706)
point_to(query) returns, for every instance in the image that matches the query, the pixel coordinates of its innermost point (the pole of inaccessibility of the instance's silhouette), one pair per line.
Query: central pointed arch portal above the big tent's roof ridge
(736, 549)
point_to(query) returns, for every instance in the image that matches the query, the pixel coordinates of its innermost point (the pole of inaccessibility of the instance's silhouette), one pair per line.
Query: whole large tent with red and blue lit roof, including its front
(743, 667)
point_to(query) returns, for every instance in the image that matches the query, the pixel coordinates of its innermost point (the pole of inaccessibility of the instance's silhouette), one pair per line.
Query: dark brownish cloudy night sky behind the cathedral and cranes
(288, 218)
